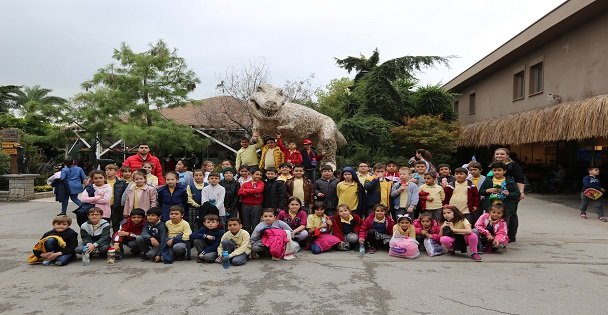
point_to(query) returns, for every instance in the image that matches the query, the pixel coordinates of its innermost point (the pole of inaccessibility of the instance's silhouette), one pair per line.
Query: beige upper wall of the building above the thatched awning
(574, 67)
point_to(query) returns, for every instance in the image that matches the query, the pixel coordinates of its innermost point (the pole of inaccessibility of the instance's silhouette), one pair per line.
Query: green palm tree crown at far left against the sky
(35, 102)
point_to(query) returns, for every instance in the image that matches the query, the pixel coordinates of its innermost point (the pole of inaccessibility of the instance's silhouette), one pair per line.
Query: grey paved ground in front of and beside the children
(559, 265)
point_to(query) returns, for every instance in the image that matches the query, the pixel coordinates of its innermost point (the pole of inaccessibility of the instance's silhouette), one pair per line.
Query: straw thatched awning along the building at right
(573, 120)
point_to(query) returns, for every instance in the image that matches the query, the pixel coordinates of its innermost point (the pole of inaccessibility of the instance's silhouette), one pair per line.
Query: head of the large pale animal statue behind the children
(266, 101)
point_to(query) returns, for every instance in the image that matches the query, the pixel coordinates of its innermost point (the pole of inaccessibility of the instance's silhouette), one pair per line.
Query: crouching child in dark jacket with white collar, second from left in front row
(95, 234)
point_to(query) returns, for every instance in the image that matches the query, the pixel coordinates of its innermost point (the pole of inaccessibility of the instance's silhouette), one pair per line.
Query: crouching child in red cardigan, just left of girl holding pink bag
(377, 229)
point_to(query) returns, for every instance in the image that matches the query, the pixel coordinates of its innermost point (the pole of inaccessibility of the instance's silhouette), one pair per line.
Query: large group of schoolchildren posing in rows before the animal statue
(274, 211)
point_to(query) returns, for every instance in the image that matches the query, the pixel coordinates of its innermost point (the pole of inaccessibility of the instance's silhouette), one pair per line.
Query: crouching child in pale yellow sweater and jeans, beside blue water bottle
(236, 242)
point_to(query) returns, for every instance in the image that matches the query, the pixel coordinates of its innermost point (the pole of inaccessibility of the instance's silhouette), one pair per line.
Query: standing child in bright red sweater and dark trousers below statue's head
(252, 194)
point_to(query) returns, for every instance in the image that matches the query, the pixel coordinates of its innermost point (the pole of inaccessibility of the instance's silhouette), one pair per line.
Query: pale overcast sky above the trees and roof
(60, 44)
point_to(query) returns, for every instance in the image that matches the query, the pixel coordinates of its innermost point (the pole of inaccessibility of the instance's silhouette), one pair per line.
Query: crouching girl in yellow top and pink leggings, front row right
(456, 233)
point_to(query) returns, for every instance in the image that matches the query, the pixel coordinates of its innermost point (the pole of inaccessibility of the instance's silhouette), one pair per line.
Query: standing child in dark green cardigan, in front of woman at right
(498, 188)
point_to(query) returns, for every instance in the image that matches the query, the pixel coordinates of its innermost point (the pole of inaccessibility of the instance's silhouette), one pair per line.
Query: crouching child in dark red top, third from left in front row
(127, 233)
